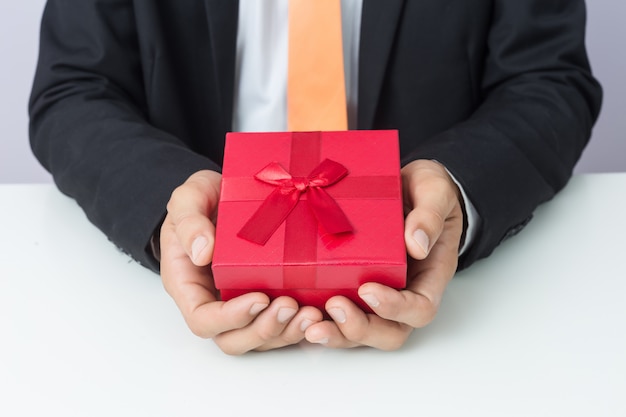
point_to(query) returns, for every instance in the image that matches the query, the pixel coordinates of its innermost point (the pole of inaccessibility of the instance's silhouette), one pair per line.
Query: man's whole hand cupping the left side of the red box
(248, 322)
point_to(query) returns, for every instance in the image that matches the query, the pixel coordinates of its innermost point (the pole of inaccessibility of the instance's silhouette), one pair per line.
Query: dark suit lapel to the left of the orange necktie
(222, 16)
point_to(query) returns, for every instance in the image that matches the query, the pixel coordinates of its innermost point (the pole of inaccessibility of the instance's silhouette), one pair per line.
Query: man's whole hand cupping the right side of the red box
(433, 229)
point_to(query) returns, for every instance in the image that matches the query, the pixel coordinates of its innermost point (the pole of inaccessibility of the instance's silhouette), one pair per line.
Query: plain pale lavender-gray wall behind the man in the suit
(19, 28)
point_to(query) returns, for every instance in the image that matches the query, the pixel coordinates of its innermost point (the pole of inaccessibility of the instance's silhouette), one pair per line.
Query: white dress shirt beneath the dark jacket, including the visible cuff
(260, 103)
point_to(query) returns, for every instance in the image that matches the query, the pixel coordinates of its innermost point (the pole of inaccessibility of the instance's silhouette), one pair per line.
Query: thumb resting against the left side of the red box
(191, 212)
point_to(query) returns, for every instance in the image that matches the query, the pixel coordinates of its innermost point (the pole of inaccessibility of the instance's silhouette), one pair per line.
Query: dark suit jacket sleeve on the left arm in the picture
(88, 123)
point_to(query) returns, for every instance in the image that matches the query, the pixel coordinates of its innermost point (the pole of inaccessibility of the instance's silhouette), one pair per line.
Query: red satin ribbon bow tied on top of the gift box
(277, 206)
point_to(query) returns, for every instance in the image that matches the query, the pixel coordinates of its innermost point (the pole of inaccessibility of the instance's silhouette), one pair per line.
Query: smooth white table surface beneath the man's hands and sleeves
(537, 329)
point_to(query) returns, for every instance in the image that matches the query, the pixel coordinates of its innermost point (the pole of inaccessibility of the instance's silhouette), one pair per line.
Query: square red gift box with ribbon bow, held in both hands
(310, 215)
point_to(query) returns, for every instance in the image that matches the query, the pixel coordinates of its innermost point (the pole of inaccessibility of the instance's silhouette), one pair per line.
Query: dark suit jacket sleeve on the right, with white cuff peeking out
(539, 103)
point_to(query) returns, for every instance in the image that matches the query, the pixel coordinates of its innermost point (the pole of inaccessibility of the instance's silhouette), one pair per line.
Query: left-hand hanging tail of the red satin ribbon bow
(269, 216)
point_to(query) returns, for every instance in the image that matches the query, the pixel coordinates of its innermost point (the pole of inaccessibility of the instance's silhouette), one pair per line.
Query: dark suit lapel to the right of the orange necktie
(379, 20)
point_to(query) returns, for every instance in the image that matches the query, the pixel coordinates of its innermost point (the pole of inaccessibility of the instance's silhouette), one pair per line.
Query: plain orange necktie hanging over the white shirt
(316, 95)
